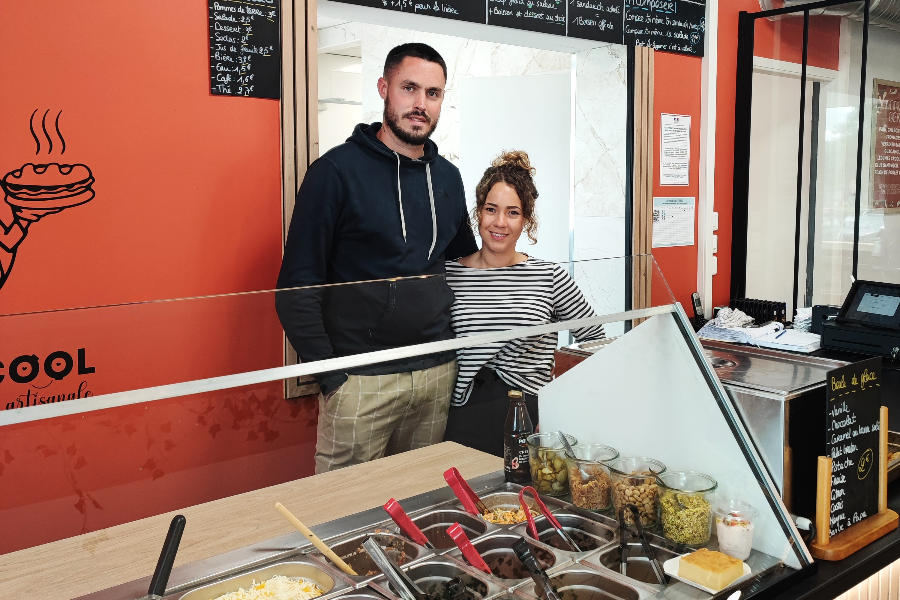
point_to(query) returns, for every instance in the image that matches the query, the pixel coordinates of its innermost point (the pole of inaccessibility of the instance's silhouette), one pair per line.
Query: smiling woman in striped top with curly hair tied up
(498, 289)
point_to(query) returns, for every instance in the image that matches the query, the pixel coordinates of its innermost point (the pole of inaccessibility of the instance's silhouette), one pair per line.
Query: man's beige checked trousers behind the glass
(371, 416)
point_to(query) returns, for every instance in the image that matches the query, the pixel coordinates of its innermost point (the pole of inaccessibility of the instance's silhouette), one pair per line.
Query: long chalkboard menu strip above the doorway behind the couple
(669, 25)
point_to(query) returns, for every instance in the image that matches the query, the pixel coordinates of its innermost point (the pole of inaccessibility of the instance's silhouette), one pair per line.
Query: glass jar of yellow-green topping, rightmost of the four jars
(685, 506)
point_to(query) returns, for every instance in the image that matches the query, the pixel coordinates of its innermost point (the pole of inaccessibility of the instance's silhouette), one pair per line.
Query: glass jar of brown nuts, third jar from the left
(634, 482)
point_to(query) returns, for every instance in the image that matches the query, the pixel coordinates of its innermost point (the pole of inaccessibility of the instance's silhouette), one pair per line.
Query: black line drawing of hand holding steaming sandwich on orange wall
(36, 190)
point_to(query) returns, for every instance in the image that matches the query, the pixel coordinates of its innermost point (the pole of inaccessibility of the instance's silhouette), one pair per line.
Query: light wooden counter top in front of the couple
(94, 561)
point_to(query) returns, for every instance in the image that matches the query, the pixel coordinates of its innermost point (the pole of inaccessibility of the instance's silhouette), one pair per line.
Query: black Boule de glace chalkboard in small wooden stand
(853, 413)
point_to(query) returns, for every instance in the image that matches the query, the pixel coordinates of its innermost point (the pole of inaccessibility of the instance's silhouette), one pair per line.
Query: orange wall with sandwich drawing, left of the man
(188, 203)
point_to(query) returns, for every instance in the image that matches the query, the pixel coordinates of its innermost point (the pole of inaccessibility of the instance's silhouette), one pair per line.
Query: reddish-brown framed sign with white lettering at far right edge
(885, 160)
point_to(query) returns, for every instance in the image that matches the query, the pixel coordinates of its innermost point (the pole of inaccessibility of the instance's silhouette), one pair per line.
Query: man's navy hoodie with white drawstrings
(365, 213)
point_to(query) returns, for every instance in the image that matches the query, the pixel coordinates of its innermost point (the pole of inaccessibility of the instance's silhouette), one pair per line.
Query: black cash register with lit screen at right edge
(868, 322)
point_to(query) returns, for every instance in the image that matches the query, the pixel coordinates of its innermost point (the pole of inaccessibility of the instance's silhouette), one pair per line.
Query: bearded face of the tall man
(413, 93)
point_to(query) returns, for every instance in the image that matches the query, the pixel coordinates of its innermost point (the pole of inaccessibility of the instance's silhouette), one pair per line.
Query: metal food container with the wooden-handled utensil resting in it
(399, 549)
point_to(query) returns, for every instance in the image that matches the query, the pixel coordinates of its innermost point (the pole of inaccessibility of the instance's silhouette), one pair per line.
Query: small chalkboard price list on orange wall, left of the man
(244, 48)
